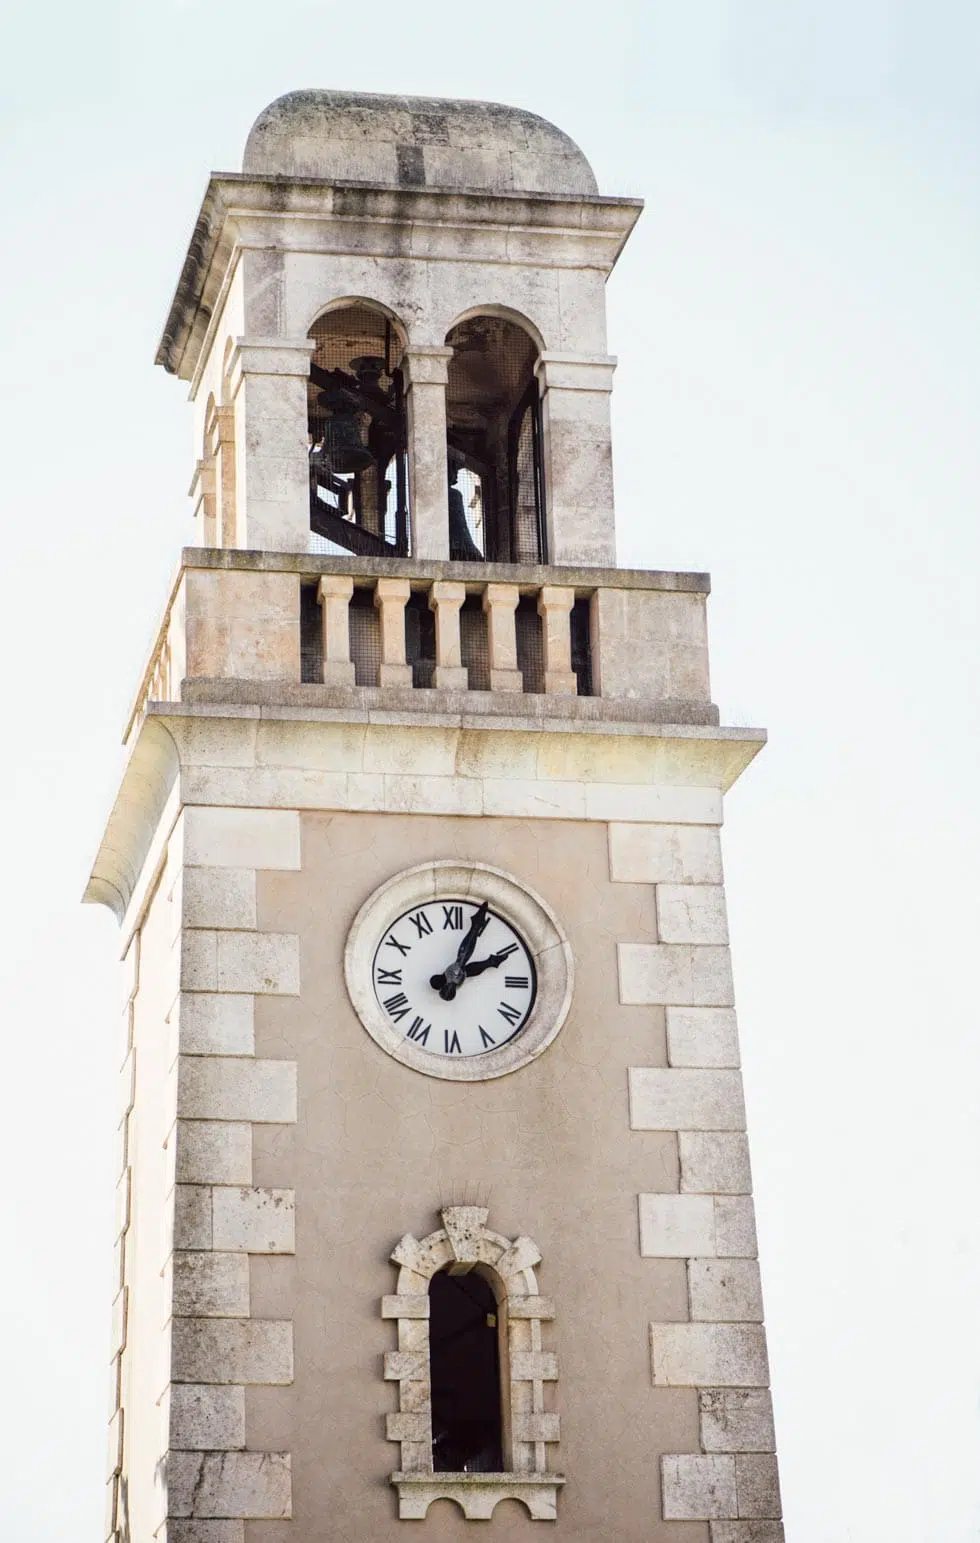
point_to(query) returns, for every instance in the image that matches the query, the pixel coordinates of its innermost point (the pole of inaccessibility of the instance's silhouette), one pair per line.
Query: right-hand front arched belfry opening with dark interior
(495, 444)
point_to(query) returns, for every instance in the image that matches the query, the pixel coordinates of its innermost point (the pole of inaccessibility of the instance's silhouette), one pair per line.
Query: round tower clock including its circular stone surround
(459, 971)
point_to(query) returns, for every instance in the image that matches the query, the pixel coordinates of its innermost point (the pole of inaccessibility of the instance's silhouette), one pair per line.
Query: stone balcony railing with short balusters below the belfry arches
(320, 630)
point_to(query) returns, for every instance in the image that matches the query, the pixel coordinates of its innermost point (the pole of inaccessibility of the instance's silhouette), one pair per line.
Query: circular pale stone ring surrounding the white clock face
(510, 899)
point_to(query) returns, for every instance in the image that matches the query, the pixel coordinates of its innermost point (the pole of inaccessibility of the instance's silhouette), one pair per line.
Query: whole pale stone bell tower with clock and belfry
(434, 1197)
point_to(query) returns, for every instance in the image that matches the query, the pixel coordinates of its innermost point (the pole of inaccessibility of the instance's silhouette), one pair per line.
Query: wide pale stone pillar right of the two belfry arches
(578, 457)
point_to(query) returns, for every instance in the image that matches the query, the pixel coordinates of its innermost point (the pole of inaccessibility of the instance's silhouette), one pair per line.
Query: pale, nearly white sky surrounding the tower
(797, 411)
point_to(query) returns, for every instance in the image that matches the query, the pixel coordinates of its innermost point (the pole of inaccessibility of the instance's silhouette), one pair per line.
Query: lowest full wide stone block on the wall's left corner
(251, 1485)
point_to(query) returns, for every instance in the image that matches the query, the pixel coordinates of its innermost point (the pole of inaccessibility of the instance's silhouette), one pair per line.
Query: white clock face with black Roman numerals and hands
(455, 979)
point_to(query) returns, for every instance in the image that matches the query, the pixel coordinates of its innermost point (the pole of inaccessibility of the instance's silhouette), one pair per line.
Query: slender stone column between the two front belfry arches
(427, 374)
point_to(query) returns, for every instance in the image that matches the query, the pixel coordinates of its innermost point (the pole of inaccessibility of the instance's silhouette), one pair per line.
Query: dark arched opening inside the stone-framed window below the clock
(465, 1371)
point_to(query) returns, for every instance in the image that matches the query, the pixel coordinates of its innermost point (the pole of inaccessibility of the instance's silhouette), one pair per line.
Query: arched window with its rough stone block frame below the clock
(475, 1379)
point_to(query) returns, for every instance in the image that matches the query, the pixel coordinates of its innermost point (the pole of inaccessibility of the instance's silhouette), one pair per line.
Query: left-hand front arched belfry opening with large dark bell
(357, 434)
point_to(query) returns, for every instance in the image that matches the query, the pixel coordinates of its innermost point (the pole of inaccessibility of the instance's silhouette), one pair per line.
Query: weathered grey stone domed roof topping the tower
(414, 143)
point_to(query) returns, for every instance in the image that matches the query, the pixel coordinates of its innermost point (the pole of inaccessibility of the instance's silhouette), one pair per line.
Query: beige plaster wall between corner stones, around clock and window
(379, 1149)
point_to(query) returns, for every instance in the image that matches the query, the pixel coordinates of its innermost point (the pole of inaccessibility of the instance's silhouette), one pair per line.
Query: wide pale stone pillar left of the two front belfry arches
(268, 387)
